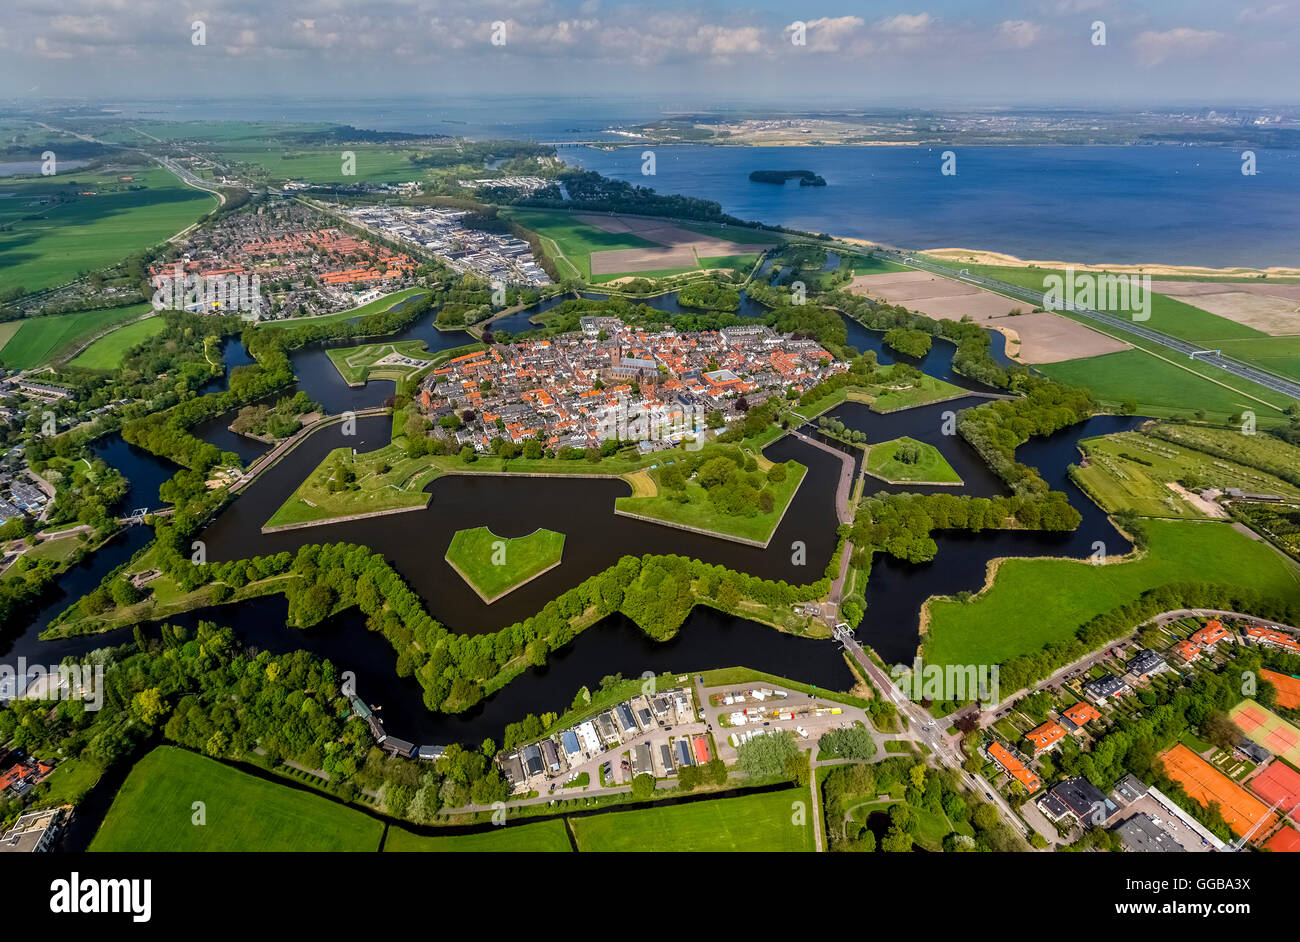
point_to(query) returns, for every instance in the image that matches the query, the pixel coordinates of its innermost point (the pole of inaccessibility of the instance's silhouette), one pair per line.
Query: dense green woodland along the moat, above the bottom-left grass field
(205, 692)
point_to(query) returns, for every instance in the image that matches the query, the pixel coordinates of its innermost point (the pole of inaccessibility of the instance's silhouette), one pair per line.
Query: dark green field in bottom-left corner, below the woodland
(154, 811)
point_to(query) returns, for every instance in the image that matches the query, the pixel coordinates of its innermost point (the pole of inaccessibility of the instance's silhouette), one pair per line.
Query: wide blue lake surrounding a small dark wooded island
(1181, 206)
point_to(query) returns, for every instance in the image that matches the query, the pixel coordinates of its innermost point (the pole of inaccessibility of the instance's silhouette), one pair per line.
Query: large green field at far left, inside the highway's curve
(57, 229)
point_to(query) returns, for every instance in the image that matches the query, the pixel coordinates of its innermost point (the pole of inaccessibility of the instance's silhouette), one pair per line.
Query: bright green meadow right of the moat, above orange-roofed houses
(1026, 606)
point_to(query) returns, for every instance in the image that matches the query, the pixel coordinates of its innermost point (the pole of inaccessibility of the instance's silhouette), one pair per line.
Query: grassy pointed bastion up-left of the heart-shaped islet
(345, 484)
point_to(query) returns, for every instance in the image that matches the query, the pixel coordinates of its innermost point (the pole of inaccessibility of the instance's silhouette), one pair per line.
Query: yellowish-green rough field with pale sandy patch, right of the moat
(1134, 472)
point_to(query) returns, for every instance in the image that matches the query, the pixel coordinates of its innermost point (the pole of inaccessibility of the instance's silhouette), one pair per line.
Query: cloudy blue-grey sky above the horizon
(690, 55)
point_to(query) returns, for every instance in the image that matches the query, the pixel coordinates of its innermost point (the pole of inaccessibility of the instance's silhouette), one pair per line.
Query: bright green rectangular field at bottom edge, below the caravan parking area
(749, 823)
